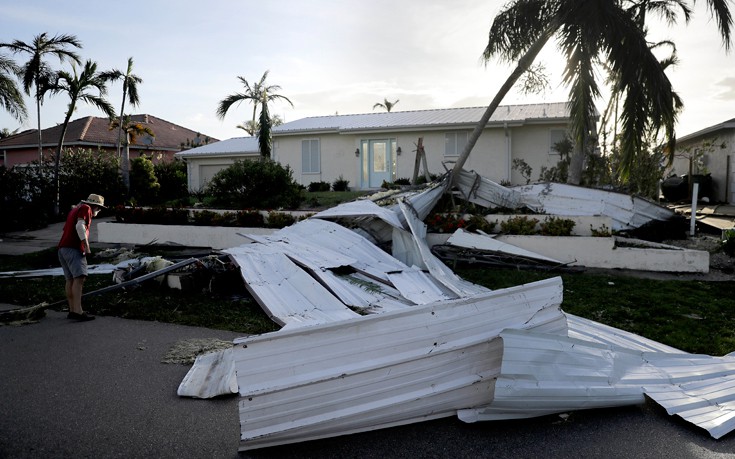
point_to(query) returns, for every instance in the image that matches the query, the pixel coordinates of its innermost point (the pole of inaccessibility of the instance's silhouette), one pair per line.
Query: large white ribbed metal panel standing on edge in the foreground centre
(382, 370)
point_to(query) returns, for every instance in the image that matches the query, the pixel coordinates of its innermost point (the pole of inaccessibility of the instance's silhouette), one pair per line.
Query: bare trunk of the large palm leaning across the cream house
(523, 64)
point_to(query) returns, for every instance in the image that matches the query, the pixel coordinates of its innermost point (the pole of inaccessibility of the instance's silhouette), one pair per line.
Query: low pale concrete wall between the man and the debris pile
(215, 237)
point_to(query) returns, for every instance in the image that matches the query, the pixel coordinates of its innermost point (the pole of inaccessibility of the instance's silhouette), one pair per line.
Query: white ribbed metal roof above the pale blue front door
(427, 119)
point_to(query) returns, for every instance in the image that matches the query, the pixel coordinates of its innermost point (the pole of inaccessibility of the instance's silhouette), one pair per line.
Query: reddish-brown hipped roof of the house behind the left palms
(95, 131)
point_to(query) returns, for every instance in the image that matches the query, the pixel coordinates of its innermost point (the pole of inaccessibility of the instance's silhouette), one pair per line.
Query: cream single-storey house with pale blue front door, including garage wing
(368, 149)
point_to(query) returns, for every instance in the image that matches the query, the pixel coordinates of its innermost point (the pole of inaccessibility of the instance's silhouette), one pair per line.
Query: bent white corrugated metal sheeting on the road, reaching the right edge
(544, 374)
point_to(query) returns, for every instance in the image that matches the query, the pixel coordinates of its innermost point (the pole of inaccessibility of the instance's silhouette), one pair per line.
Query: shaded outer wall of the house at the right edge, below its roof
(716, 163)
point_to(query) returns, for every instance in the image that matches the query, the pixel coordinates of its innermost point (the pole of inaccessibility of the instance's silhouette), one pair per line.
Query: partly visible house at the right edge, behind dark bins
(712, 151)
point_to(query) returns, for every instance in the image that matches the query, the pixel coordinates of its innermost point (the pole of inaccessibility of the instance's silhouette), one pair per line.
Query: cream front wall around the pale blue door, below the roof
(491, 156)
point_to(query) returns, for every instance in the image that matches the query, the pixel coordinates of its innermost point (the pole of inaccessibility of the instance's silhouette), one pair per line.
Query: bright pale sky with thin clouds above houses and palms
(328, 56)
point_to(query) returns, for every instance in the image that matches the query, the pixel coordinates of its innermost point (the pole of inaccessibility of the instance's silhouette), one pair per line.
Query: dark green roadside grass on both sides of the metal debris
(693, 316)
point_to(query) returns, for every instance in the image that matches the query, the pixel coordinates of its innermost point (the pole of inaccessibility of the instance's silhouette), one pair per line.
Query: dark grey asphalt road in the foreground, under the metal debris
(99, 389)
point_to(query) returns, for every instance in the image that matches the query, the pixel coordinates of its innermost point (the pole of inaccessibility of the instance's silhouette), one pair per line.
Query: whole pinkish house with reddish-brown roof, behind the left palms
(94, 133)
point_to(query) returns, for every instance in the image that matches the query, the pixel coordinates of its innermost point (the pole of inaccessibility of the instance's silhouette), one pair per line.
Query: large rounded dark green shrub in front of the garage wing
(255, 184)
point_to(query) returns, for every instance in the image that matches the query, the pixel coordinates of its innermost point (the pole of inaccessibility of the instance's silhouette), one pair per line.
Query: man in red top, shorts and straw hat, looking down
(73, 249)
